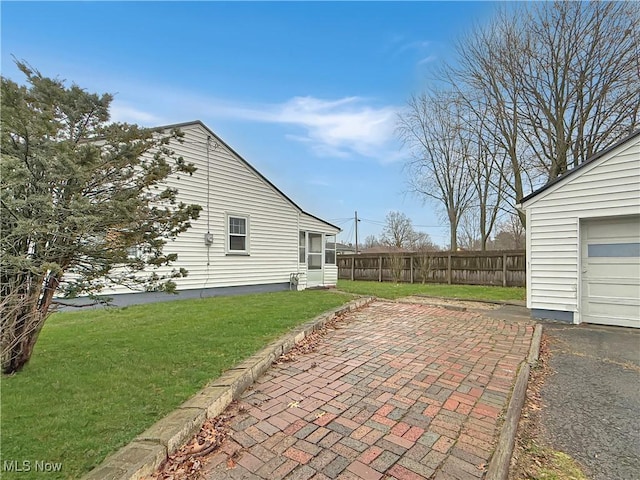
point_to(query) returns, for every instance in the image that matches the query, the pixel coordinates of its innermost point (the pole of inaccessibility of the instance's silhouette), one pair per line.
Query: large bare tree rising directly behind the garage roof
(554, 82)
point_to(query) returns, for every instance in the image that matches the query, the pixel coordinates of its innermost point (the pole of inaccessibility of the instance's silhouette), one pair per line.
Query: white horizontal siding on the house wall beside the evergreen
(234, 189)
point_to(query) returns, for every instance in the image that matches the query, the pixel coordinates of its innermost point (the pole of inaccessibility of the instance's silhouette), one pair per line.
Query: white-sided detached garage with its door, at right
(583, 241)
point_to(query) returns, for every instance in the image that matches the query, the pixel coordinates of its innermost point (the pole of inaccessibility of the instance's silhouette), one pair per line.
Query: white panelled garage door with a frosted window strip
(611, 271)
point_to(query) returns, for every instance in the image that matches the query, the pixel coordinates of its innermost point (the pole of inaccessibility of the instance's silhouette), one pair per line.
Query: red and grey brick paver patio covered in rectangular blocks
(399, 390)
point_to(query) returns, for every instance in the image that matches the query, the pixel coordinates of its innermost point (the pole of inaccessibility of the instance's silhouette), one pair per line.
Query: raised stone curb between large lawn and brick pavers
(149, 450)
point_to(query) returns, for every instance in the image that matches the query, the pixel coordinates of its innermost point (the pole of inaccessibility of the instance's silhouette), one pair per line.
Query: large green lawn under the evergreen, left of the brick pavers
(98, 378)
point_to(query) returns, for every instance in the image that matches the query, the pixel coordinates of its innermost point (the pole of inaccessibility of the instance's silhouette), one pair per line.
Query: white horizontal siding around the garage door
(609, 187)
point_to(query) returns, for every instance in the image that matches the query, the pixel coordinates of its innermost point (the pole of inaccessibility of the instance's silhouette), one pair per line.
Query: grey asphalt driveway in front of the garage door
(591, 403)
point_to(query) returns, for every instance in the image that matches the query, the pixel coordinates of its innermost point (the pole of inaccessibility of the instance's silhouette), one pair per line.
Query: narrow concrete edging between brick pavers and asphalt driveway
(501, 458)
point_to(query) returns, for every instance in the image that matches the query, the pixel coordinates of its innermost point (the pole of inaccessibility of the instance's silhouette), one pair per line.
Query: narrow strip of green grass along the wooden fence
(467, 292)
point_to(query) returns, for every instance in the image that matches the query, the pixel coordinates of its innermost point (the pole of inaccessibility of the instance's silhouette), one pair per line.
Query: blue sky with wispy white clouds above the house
(307, 92)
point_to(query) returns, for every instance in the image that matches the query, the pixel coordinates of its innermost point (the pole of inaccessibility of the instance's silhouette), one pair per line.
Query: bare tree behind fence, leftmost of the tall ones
(433, 127)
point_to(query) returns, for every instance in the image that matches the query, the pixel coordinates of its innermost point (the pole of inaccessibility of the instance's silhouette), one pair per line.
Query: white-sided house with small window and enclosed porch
(250, 236)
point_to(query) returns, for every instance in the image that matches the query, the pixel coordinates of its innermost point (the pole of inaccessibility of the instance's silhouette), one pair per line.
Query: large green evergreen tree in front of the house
(78, 193)
